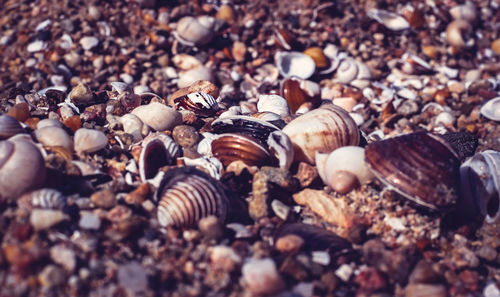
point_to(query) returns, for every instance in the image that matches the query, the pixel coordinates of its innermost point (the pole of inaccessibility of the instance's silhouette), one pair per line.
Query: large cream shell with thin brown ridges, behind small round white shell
(321, 130)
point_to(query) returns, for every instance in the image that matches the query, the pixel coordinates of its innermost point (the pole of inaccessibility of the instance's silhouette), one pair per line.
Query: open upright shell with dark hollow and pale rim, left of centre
(158, 150)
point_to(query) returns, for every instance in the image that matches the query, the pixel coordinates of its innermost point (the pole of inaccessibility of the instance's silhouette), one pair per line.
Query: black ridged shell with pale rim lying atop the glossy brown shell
(245, 125)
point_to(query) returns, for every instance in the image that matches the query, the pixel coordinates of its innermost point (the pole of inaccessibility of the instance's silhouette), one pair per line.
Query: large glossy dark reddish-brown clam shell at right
(420, 166)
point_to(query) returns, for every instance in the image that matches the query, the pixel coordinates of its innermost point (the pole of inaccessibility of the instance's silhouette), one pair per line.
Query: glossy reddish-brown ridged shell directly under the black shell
(233, 147)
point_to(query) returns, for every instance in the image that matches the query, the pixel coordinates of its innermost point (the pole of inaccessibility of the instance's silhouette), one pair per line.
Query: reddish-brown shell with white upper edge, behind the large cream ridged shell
(297, 91)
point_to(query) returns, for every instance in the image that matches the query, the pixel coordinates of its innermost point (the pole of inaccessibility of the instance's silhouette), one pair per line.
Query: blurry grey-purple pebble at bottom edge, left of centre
(132, 277)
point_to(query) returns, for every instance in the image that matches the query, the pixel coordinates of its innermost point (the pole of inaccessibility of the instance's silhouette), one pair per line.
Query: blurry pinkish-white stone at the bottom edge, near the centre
(262, 277)
